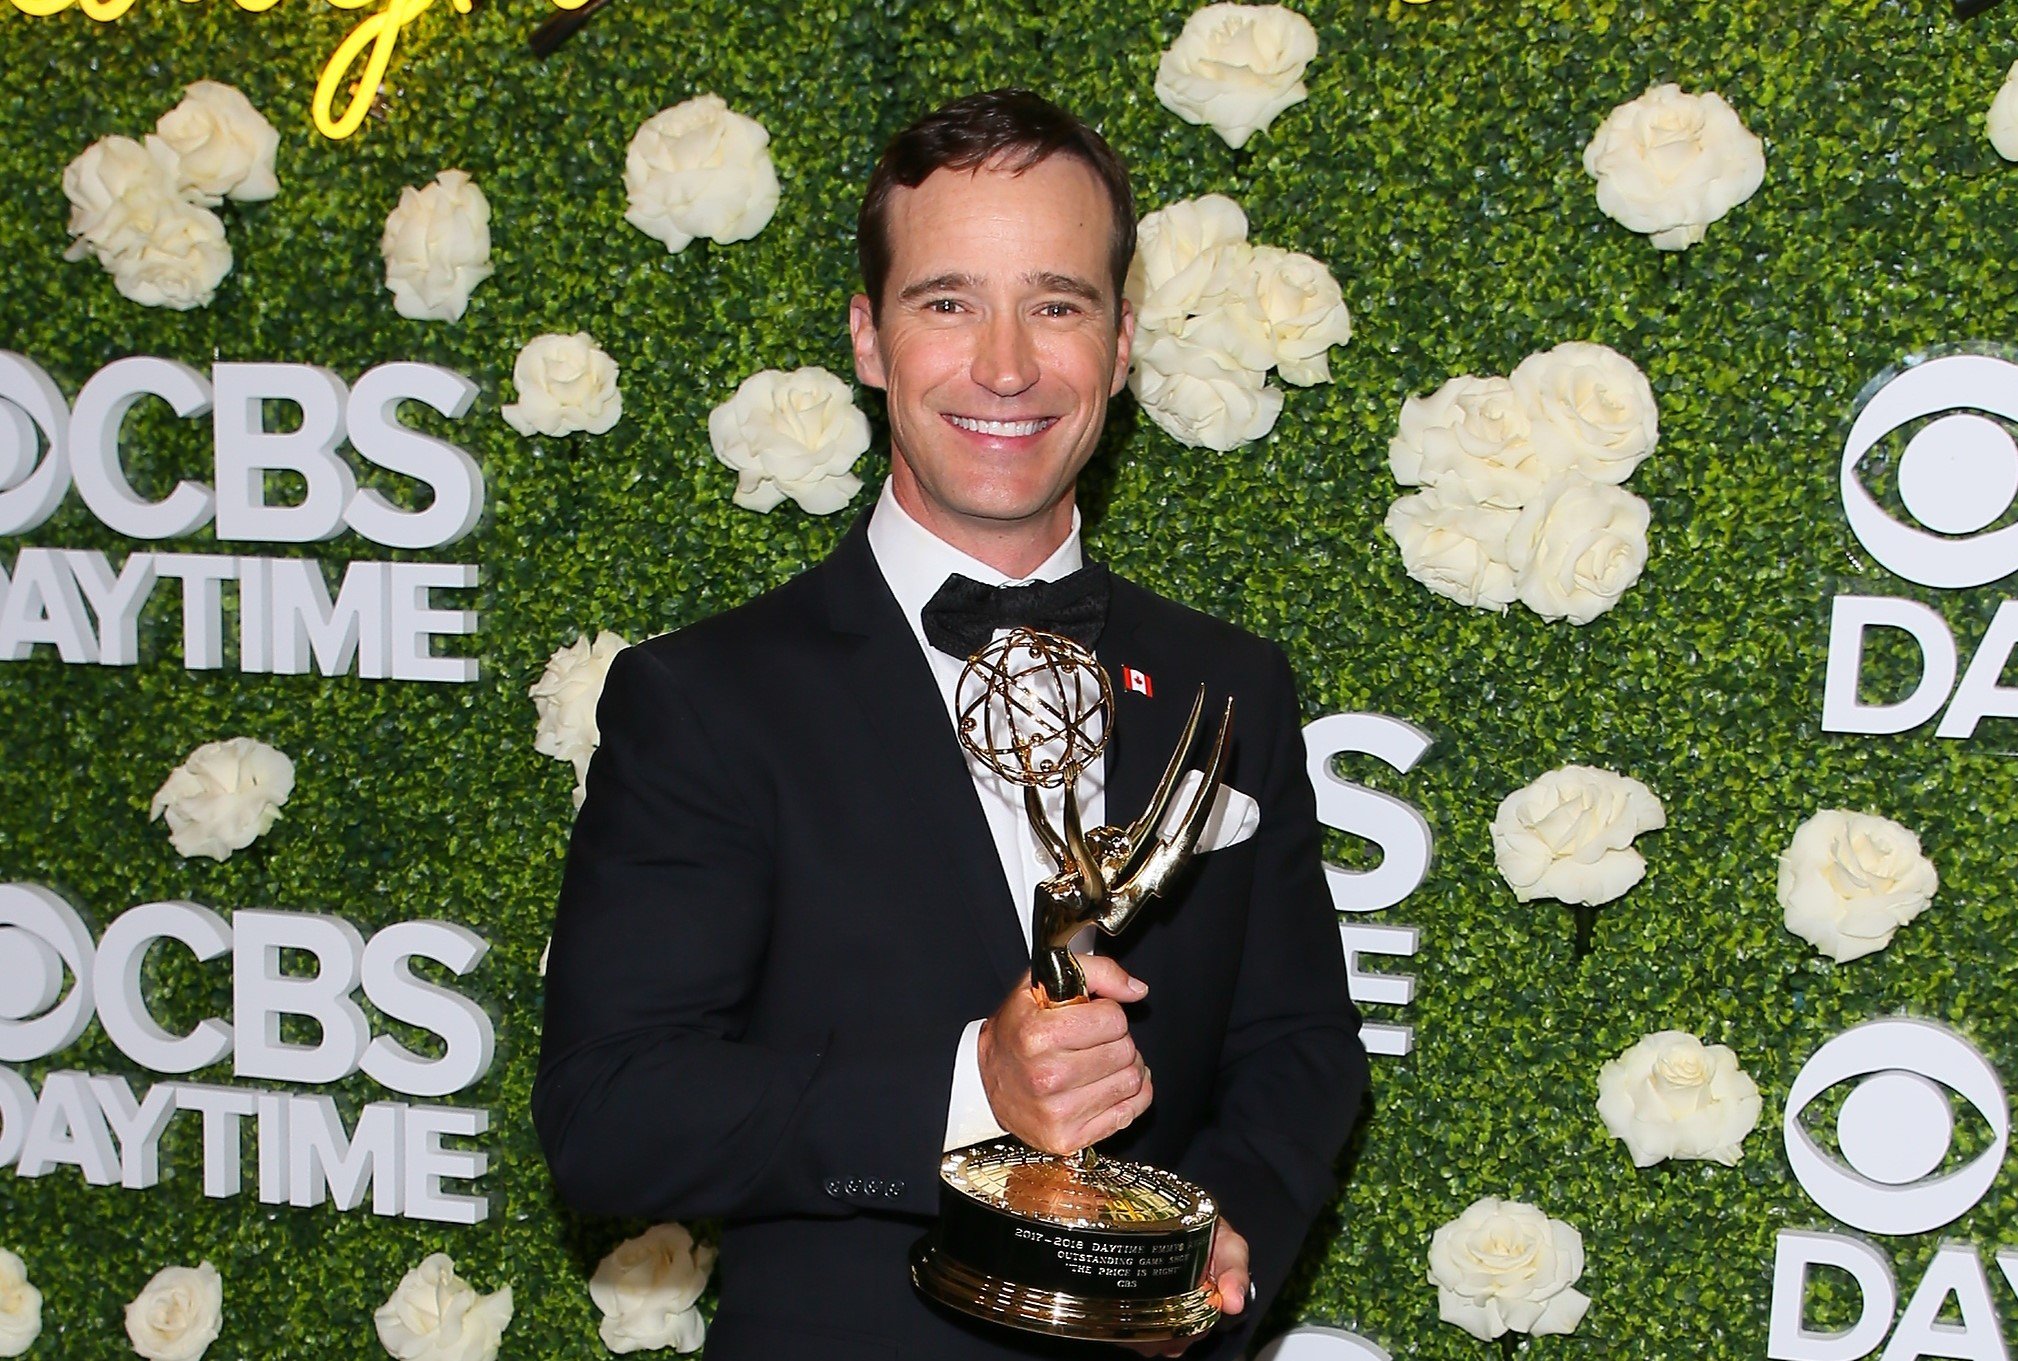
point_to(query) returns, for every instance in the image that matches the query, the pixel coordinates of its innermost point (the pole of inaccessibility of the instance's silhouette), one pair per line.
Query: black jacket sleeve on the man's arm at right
(1293, 1071)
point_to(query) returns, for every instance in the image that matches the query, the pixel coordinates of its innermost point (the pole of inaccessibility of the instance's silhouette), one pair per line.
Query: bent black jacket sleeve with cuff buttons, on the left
(651, 1102)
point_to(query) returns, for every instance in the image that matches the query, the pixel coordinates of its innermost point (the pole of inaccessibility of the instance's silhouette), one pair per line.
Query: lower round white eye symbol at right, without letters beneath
(1896, 1128)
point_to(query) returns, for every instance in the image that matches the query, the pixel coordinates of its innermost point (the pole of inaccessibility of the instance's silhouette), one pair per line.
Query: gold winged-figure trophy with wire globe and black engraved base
(1073, 1245)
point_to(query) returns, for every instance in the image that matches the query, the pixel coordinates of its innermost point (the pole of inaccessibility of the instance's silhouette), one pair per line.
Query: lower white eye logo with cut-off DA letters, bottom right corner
(1896, 1130)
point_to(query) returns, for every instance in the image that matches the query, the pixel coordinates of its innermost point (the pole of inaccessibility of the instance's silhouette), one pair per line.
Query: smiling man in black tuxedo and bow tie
(790, 966)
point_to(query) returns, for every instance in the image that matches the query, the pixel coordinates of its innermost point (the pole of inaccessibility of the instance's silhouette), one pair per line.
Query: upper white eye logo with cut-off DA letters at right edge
(1956, 478)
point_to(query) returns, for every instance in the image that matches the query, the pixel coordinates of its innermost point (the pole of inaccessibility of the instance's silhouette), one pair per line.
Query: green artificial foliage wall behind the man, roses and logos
(1436, 169)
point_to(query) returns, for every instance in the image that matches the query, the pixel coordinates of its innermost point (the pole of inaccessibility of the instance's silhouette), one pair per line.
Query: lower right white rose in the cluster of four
(1577, 548)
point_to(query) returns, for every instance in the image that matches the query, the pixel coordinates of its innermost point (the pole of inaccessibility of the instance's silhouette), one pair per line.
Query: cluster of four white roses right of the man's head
(1521, 484)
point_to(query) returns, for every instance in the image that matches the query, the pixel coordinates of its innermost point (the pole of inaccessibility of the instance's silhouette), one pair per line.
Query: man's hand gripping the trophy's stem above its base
(1067, 1077)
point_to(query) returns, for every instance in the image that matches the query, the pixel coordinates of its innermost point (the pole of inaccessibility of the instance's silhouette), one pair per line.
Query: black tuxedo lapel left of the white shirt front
(937, 825)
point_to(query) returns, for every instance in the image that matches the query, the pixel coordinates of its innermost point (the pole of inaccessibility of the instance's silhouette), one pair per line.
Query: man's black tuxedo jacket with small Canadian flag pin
(782, 908)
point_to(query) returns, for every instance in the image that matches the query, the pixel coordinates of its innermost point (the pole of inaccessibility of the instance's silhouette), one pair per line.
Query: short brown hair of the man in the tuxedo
(1012, 128)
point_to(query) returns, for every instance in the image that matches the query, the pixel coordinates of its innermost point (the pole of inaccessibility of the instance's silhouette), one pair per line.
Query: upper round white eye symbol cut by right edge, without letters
(1958, 474)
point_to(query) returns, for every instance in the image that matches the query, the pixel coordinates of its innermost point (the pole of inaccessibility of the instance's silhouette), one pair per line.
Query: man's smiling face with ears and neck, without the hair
(998, 348)
